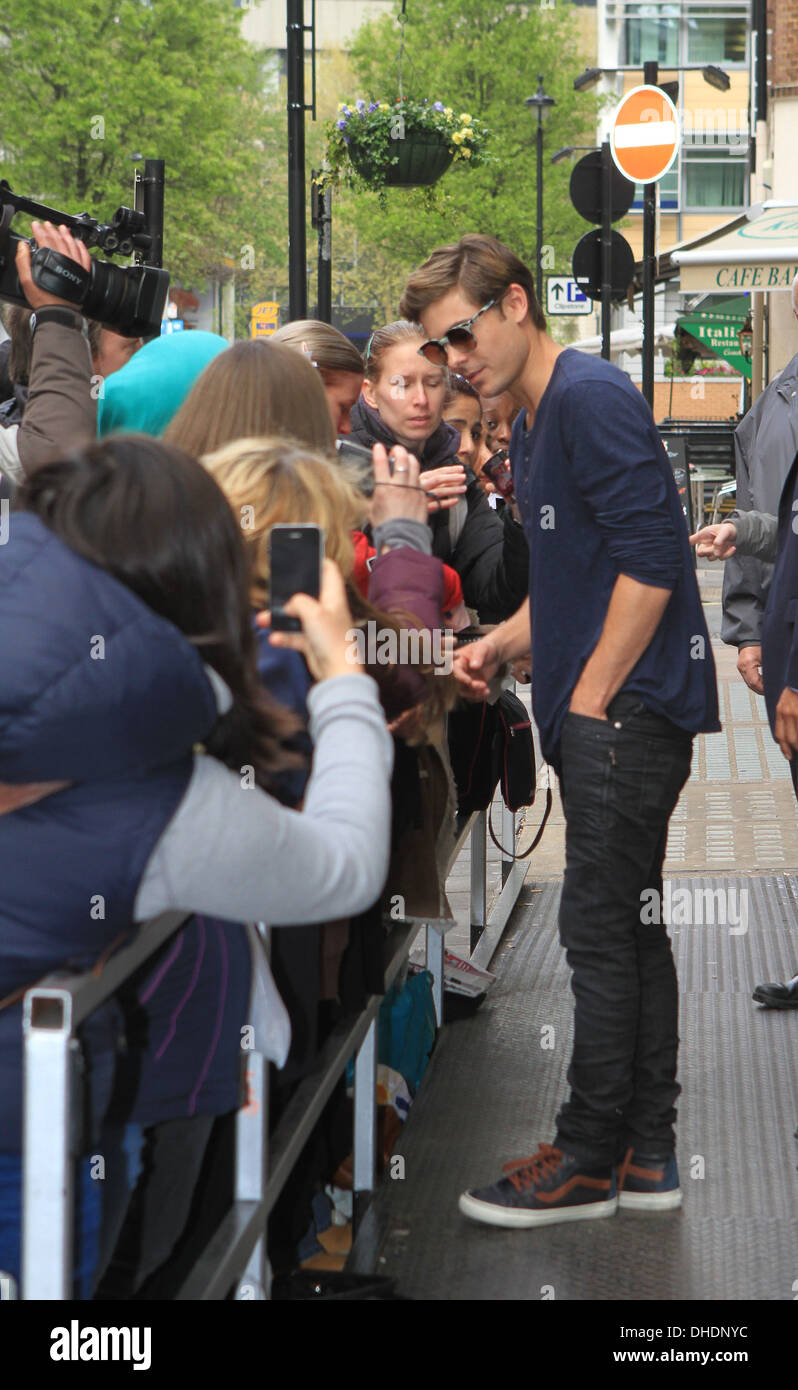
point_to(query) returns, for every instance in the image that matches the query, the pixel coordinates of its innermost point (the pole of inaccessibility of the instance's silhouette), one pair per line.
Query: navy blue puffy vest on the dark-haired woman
(97, 690)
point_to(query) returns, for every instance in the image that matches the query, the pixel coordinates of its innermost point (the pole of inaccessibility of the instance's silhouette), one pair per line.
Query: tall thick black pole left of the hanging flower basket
(297, 244)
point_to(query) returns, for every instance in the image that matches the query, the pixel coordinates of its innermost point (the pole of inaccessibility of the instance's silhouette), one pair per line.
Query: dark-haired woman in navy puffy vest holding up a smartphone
(129, 811)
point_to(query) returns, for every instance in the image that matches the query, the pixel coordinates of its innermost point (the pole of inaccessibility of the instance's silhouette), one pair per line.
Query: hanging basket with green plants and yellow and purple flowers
(402, 145)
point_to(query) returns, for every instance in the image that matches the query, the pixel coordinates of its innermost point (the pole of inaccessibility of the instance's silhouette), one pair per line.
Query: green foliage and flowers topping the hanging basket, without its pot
(365, 140)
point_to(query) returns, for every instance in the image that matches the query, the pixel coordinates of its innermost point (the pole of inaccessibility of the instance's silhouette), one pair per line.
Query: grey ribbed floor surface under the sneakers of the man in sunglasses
(493, 1092)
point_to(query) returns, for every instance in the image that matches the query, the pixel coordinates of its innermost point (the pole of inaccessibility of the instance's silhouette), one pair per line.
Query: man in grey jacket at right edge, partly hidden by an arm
(765, 444)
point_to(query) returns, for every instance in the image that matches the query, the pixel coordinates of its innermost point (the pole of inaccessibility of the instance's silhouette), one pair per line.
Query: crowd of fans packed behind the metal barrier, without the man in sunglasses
(162, 749)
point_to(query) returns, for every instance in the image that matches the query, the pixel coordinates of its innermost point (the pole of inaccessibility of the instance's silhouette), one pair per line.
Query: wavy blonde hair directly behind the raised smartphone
(272, 482)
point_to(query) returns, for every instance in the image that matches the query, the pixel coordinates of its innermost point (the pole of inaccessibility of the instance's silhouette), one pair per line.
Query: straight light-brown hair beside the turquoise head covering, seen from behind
(255, 389)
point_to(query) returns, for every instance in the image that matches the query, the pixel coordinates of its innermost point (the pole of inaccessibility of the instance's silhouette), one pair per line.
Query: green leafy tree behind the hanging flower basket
(482, 58)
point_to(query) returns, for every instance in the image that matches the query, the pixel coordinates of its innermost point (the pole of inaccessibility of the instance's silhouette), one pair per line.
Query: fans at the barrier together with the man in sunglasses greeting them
(162, 749)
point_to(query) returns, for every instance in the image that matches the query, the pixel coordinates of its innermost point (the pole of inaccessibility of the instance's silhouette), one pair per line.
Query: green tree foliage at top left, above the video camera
(88, 84)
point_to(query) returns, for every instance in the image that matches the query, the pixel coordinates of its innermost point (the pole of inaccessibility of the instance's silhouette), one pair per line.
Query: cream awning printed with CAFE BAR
(758, 254)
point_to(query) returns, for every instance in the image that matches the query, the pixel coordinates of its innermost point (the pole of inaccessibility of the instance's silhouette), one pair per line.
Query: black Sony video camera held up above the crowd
(130, 300)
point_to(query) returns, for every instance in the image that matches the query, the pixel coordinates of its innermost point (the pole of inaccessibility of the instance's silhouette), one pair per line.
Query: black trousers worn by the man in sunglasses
(621, 780)
